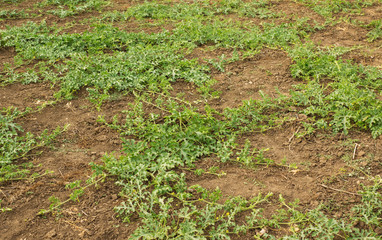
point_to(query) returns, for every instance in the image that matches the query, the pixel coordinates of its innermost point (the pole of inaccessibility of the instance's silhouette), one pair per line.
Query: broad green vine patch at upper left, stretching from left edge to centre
(144, 63)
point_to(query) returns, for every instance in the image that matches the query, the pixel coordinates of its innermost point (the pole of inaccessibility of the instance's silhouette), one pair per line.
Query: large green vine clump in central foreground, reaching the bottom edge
(148, 170)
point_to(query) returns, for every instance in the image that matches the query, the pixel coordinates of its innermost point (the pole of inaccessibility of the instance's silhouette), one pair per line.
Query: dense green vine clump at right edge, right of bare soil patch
(348, 100)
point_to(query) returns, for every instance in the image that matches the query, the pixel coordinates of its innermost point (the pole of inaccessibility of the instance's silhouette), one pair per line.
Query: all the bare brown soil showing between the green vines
(322, 159)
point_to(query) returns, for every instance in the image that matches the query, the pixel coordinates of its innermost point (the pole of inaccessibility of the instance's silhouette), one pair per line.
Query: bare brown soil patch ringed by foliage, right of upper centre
(242, 80)
